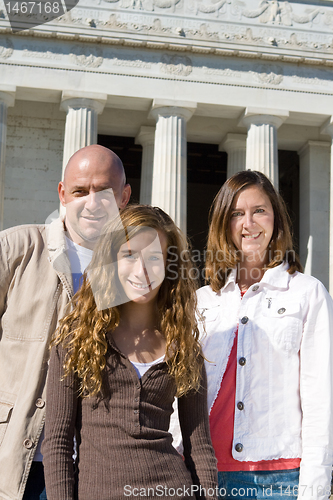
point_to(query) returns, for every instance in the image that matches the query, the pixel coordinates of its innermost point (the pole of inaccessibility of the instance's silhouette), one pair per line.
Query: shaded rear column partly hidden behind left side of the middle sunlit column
(146, 137)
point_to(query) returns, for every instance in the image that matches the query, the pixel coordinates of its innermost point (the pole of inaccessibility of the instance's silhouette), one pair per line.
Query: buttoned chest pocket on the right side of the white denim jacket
(283, 324)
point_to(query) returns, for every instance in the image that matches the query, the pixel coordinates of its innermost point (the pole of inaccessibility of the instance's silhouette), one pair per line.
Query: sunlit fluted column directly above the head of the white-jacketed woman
(261, 143)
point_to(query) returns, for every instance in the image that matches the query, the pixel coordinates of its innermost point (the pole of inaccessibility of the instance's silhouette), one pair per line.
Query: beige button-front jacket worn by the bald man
(35, 286)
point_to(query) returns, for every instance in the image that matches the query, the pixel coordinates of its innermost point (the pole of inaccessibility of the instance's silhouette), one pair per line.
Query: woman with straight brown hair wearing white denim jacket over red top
(266, 332)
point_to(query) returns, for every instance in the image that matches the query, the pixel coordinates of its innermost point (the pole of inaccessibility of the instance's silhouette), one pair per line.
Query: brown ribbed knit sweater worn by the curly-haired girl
(124, 447)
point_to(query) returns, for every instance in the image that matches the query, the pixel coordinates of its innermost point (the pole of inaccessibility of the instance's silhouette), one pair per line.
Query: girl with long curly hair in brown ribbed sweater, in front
(126, 349)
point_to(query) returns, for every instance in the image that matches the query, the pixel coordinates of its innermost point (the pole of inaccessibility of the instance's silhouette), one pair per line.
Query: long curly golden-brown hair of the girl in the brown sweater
(82, 332)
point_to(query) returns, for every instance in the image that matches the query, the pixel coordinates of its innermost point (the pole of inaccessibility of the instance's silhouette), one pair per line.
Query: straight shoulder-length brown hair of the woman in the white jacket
(221, 254)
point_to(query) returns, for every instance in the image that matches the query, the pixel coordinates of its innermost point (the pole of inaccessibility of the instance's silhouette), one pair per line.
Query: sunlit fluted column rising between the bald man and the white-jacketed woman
(169, 190)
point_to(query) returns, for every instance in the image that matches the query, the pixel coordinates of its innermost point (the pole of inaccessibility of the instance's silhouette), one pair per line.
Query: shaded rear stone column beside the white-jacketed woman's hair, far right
(314, 209)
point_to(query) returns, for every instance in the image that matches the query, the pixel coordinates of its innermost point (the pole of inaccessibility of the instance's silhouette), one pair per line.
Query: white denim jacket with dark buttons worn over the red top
(284, 369)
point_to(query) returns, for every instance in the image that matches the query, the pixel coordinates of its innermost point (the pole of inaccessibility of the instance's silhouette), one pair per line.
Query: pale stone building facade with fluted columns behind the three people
(252, 79)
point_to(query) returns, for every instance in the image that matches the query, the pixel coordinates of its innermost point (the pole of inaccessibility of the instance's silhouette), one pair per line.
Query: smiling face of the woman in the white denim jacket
(252, 223)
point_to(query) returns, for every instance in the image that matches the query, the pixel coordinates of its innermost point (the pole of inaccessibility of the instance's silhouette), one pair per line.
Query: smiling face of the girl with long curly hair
(141, 265)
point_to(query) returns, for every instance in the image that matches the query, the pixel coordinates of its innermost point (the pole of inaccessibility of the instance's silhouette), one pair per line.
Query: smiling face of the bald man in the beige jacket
(92, 192)
